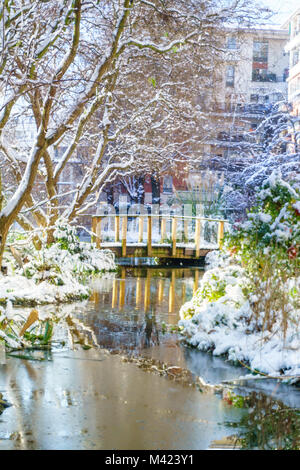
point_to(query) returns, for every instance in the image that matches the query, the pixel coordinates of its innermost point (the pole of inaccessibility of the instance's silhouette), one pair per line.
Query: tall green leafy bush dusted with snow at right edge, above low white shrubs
(267, 244)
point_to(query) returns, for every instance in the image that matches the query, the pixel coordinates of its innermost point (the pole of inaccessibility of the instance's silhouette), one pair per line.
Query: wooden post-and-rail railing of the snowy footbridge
(187, 224)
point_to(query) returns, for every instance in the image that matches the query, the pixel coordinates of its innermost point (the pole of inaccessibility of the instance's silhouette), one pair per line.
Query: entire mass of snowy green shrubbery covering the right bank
(250, 310)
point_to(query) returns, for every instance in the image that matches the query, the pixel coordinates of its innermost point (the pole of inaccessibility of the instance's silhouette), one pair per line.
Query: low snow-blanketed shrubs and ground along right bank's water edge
(219, 319)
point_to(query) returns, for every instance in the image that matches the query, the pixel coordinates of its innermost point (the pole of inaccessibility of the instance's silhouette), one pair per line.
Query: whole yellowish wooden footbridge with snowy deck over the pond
(184, 238)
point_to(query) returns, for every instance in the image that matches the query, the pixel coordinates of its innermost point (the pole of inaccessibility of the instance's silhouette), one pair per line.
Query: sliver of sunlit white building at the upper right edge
(293, 49)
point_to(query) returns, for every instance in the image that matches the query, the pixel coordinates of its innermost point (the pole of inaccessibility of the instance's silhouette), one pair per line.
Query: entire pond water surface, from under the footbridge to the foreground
(140, 390)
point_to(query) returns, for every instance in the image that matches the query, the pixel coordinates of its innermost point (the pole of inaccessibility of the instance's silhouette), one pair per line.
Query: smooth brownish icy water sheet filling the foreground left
(90, 400)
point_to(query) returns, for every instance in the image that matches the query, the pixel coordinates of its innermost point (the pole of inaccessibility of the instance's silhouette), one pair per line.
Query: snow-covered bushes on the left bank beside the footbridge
(54, 273)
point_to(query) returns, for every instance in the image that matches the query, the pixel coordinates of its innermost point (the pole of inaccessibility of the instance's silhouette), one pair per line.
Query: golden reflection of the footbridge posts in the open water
(129, 312)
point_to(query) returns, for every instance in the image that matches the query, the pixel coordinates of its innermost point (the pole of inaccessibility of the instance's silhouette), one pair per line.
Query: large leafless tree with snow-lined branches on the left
(108, 77)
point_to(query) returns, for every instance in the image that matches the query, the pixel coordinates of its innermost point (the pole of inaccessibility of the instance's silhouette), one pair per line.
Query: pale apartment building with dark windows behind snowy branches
(253, 77)
